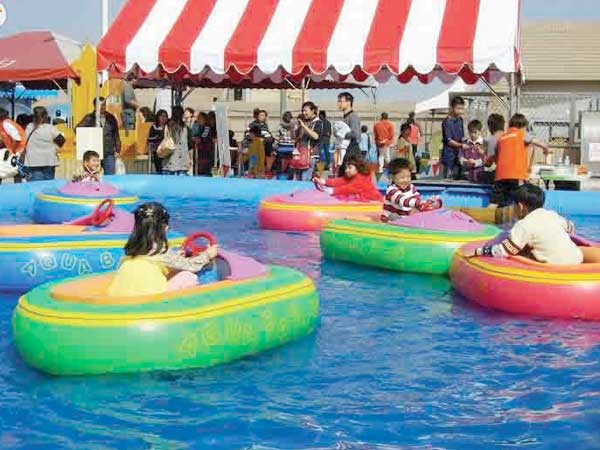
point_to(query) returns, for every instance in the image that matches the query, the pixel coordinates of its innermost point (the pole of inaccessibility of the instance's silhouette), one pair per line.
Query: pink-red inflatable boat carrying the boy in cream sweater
(520, 285)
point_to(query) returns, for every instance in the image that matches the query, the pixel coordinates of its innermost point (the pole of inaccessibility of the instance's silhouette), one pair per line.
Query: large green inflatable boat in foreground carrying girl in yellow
(71, 327)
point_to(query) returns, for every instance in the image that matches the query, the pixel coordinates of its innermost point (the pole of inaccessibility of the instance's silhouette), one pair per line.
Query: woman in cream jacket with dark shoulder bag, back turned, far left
(43, 143)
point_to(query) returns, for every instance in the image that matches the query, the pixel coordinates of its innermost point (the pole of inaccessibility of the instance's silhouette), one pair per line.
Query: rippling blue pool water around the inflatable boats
(398, 362)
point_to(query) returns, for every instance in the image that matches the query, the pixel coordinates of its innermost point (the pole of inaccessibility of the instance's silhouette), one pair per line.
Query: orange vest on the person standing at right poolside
(512, 162)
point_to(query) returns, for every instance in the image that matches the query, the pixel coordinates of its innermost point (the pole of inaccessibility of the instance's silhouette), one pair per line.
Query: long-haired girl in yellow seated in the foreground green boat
(149, 267)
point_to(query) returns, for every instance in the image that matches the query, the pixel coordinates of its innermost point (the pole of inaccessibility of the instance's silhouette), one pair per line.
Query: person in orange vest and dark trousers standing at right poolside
(513, 157)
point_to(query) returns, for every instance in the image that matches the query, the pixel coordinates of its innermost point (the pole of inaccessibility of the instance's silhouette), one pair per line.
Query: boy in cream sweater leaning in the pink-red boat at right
(541, 234)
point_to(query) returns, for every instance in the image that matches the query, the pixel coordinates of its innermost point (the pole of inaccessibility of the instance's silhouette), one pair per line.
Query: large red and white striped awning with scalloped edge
(258, 39)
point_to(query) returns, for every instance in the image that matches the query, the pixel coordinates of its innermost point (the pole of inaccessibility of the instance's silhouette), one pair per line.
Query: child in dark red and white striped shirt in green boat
(401, 196)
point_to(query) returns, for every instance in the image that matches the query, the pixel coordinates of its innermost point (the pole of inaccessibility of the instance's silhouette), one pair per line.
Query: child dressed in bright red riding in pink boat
(356, 184)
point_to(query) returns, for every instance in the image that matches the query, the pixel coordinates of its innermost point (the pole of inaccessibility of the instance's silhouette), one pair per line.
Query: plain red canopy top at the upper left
(38, 58)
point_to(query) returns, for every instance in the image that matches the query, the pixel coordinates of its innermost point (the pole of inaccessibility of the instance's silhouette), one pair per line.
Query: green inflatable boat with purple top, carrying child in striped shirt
(422, 242)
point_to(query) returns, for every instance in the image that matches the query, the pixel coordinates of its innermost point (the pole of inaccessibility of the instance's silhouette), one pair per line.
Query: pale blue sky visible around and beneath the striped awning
(81, 20)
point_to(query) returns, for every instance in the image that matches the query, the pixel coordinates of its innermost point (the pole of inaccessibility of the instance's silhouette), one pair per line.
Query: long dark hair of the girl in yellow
(149, 234)
